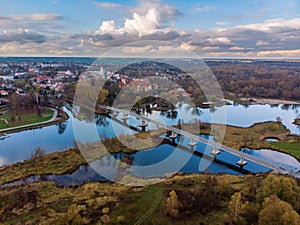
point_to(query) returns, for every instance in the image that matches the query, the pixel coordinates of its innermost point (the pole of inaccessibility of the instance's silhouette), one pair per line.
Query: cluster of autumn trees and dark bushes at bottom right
(273, 200)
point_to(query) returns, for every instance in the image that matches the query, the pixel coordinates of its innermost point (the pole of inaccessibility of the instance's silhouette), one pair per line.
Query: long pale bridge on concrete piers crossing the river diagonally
(217, 147)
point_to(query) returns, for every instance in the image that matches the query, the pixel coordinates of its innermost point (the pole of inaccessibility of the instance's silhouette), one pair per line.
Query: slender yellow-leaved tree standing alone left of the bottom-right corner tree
(236, 207)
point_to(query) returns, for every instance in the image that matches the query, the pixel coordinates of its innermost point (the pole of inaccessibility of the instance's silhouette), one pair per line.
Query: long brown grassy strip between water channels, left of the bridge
(68, 161)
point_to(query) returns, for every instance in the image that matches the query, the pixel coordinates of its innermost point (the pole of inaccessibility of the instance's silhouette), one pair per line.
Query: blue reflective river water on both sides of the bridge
(19, 146)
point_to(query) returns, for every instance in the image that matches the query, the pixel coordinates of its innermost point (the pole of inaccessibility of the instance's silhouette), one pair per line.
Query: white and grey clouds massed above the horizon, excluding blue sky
(155, 21)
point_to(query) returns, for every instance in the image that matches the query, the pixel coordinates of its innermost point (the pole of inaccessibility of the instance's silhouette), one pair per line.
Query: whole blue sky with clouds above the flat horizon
(232, 28)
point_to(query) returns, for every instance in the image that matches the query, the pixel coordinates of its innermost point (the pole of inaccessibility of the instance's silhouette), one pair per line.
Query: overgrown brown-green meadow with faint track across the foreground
(200, 199)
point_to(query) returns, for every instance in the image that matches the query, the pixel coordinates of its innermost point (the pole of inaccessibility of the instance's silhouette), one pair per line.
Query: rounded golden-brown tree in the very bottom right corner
(276, 211)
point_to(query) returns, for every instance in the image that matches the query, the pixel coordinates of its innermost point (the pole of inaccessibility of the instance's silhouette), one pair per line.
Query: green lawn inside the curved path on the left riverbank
(8, 120)
